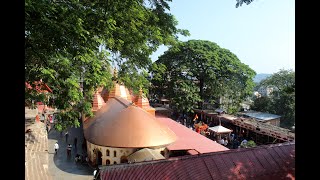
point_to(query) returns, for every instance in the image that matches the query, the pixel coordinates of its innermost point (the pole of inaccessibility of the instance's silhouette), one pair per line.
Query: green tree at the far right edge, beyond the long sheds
(282, 99)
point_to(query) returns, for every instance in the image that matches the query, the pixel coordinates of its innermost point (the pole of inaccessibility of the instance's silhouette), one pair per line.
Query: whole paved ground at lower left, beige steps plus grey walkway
(40, 161)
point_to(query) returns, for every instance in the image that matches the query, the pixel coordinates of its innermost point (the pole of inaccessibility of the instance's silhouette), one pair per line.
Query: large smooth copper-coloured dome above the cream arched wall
(132, 127)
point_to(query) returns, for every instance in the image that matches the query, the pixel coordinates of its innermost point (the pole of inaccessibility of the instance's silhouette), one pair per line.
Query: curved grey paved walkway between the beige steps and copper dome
(62, 167)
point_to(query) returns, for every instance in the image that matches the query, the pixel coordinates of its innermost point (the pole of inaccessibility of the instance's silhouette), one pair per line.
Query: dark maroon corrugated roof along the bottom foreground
(263, 162)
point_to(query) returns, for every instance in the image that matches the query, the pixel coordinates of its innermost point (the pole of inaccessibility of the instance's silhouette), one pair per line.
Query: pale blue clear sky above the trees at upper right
(261, 35)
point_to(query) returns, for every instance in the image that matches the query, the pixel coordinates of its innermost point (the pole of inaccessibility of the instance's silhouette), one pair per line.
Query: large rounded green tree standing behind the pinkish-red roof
(199, 71)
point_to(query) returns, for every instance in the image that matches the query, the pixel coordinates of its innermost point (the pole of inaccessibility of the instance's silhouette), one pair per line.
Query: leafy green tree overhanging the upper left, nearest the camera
(62, 40)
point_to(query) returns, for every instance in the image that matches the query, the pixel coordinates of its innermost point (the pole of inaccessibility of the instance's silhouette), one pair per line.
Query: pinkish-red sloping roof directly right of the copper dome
(189, 139)
